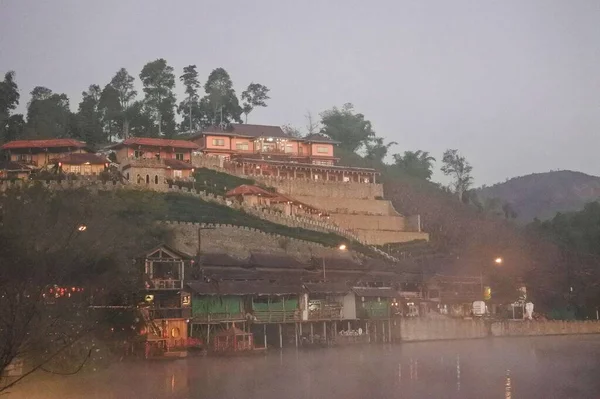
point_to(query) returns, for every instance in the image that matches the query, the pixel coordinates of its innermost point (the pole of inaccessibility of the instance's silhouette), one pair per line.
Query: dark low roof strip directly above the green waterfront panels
(243, 288)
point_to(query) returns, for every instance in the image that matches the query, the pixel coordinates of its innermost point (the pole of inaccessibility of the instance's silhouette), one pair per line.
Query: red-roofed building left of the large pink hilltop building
(154, 148)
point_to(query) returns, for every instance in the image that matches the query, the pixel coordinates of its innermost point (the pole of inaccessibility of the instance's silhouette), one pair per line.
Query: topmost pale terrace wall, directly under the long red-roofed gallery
(330, 189)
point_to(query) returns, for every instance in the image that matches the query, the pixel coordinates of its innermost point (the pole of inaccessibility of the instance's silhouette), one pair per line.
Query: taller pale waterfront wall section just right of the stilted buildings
(416, 329)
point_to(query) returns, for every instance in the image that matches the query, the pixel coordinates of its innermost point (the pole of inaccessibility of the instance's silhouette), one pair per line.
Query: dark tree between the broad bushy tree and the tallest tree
(89, 117)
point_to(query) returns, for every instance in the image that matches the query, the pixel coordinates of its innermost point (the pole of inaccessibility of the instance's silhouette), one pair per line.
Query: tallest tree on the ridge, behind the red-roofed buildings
(159, 81)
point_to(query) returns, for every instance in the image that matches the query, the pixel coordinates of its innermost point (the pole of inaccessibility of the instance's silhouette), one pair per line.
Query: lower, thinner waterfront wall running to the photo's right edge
(555, 327)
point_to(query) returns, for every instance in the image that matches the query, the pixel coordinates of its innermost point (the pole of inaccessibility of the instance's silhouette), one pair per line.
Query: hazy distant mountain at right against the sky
(541, 195)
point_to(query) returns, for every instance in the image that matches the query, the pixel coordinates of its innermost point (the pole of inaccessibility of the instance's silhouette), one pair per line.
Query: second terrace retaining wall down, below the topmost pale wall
(347, 205)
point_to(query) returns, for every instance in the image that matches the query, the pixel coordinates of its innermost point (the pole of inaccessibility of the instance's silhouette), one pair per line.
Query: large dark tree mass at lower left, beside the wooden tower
(70, 238)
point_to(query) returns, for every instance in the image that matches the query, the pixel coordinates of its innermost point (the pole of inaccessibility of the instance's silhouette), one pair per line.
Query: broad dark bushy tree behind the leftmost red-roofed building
(48, 114)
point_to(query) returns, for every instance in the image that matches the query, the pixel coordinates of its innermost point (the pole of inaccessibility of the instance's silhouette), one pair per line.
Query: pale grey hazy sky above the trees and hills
(514, 85)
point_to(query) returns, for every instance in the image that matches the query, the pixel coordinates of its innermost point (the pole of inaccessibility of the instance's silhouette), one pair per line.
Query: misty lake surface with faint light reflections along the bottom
(542, 367)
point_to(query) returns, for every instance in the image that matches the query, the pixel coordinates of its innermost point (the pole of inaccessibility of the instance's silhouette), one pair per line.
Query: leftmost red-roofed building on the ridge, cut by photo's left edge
(42, 152)
